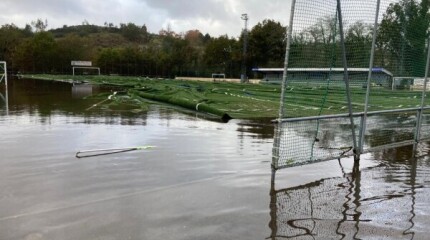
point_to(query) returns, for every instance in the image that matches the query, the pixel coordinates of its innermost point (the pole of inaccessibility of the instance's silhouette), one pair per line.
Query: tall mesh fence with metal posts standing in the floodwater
(330, 110)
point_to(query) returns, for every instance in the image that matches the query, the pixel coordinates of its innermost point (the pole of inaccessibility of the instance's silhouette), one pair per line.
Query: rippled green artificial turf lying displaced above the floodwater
(248, 101)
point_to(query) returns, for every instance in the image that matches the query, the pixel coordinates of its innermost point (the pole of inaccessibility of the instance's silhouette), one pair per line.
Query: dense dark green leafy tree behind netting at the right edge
(403, 33)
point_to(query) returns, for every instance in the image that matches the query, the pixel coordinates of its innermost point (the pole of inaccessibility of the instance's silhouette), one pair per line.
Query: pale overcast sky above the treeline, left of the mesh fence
(216, 17)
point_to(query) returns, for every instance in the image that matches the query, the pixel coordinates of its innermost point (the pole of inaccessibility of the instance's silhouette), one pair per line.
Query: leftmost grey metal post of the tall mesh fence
(278, 129)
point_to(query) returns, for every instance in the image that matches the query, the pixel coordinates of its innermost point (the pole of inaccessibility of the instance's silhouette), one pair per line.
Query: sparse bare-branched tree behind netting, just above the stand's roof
(318, 45)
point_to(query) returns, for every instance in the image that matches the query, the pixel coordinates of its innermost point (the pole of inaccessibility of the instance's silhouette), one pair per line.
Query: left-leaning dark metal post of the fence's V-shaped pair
(346, 79)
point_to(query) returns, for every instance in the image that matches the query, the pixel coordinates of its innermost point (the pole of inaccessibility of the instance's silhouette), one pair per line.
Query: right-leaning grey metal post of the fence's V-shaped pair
(369, 77)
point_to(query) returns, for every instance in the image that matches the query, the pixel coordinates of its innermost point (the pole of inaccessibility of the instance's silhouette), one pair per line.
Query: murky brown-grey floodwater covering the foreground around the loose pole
(203, 179)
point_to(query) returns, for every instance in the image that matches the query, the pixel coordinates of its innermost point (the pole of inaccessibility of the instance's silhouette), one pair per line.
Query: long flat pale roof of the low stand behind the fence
(266, 70)
